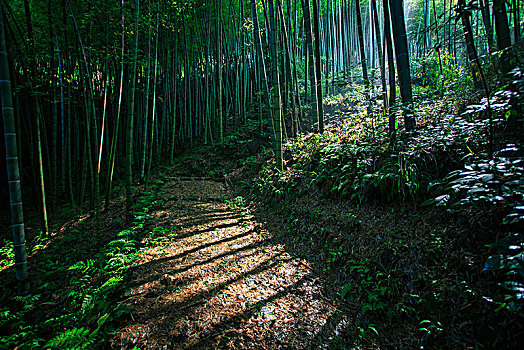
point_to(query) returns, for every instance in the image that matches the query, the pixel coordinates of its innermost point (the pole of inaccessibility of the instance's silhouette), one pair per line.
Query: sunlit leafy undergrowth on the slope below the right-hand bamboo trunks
(354, 161)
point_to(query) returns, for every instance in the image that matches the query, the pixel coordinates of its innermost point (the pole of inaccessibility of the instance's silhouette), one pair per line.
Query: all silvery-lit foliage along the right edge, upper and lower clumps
(495, 184)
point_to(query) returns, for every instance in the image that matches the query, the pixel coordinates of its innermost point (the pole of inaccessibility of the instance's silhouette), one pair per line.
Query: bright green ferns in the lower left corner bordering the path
(87, 312)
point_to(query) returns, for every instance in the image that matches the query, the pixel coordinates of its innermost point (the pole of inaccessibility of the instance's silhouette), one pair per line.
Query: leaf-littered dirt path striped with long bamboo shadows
(219, 279)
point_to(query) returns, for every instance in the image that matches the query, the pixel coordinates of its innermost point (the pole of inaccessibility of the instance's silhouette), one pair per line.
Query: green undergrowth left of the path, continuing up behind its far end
(79, 275)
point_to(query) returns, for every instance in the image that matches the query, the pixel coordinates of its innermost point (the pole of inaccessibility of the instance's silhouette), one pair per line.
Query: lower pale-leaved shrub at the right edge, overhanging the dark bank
(495, 182)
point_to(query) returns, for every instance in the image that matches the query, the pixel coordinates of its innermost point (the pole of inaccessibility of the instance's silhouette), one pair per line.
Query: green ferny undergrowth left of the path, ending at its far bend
(77, 279)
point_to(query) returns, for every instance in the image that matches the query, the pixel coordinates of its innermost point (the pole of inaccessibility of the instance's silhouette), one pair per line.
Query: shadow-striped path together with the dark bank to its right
(234, 271)
